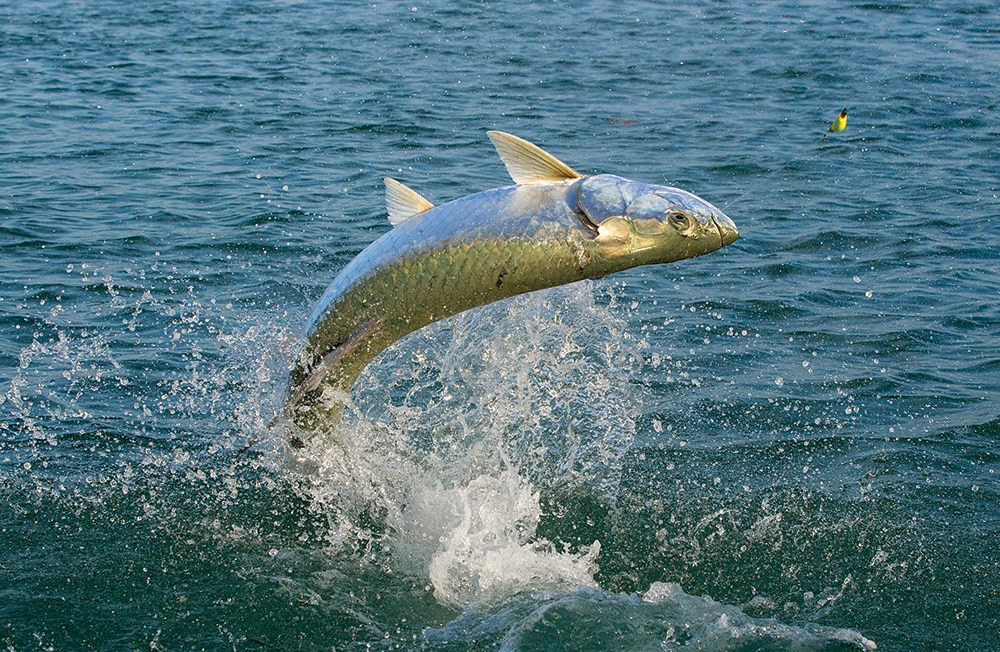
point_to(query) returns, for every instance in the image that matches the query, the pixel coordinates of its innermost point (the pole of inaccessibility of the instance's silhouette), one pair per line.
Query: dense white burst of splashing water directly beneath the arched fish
(456, 431)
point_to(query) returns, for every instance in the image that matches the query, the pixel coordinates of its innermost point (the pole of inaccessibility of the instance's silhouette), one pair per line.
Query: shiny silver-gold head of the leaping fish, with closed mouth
(635, 223)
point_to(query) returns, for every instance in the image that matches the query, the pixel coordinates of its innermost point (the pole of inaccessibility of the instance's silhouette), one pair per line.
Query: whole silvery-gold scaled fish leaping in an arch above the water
(553, 227)
